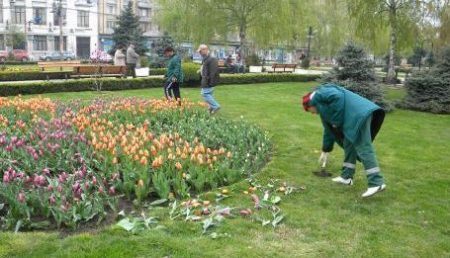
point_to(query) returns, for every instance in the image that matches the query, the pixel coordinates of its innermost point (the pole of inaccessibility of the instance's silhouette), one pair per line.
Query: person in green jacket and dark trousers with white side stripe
(174, 75)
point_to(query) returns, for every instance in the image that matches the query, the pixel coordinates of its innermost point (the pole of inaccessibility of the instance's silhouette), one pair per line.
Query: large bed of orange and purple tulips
(67, 163)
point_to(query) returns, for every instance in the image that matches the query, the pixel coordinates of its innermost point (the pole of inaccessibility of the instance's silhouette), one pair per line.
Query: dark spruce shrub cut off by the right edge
(429, 91)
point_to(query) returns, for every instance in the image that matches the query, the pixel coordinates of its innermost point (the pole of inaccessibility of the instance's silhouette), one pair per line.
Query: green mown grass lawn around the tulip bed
(410, 219)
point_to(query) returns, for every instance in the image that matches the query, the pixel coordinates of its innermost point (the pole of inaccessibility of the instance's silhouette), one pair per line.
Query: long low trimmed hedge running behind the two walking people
(113, 84)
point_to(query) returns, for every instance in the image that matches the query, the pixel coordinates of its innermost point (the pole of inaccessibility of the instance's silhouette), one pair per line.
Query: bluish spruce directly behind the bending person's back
(356, 73)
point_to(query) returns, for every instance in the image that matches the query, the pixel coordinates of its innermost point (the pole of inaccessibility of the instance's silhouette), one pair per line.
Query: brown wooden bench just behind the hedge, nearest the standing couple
(80, 71)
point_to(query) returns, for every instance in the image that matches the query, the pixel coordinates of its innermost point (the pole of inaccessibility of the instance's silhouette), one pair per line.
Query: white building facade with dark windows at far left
(39, 22)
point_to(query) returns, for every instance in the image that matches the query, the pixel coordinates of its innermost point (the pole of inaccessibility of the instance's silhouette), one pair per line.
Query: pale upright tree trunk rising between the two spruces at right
(391, 78)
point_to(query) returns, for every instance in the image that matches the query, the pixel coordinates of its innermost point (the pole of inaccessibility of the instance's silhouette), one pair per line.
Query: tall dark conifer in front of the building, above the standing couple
(127, 31)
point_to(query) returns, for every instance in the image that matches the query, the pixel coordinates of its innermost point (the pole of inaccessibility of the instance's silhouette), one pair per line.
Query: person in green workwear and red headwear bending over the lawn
(352, 122)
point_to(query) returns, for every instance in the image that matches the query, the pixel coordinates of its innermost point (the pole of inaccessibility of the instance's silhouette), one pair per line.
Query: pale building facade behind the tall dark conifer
(109, 10)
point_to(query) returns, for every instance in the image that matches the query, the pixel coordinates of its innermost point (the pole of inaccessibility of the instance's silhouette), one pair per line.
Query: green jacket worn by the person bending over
(343, 113)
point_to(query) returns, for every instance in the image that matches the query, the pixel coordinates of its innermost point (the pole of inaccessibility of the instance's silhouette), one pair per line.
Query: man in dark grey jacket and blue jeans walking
(210, 78)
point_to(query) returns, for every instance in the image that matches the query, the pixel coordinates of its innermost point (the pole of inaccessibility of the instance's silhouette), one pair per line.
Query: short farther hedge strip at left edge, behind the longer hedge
(33, 76)
